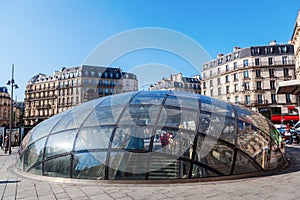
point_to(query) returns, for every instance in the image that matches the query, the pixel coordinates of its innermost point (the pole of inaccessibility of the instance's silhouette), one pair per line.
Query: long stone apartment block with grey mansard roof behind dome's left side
(47, 95)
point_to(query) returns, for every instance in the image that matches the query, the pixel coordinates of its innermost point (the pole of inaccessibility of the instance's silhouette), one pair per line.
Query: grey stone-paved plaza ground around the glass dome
(284, 185)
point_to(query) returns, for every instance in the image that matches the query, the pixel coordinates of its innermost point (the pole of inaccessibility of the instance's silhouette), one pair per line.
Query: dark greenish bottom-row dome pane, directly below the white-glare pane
(58, 167)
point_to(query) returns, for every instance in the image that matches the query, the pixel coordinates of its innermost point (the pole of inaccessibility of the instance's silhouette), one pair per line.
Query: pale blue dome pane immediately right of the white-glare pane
(93, 138)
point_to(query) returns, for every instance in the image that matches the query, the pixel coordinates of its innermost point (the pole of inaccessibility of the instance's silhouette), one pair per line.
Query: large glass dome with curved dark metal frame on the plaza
(149, 135)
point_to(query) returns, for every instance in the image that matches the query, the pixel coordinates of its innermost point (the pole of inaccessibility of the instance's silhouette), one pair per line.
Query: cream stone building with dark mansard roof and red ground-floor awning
(250, 76)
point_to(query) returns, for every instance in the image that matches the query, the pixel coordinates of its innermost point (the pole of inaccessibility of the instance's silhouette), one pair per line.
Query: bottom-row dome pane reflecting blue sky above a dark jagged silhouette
(89, 165)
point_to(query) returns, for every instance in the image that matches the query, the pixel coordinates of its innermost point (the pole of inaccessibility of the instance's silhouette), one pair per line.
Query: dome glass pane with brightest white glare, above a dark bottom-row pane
(60, 143)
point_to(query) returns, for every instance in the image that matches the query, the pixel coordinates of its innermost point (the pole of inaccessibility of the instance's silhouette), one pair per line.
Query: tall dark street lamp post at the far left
(13, 85)
